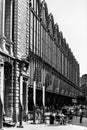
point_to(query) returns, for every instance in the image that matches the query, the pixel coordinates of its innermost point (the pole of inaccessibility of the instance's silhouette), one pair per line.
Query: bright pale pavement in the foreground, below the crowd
(28, 126)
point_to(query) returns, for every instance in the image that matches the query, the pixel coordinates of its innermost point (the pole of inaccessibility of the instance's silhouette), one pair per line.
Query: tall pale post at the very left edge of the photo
(1, 91)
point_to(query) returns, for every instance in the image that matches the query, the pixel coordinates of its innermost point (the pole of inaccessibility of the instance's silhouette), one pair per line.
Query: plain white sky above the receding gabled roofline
(71, 16)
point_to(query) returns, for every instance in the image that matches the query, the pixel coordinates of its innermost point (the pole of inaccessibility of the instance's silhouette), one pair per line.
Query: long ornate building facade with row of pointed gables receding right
(33, 49)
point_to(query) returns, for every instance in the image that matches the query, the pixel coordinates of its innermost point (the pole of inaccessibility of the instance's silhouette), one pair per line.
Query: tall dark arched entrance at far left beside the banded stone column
(8, 94)
